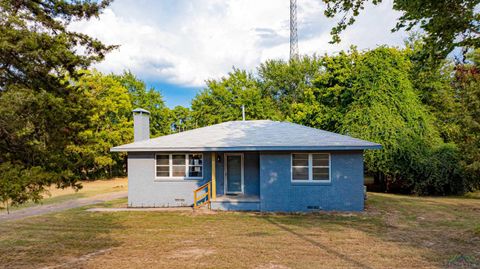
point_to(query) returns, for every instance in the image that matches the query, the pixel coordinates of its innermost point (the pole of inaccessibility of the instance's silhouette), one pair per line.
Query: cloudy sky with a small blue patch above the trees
(176, 45)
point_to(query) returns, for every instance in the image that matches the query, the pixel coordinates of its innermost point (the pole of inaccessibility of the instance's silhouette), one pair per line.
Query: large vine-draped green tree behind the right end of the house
(371, 95)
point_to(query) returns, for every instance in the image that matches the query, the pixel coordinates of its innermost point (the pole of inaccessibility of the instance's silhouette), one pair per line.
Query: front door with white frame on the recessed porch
(233, 173)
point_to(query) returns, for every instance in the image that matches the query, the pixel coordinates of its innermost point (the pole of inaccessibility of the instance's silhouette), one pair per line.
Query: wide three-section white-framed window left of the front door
(179, 165)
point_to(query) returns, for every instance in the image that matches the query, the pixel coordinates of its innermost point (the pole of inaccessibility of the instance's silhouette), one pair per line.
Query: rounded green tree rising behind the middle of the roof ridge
(222, 100)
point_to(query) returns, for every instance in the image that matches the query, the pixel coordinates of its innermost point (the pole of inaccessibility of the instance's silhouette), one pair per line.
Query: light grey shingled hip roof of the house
(253, 135)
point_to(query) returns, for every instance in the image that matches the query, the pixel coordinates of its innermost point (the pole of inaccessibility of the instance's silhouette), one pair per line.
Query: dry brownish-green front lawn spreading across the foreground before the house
(394, 232)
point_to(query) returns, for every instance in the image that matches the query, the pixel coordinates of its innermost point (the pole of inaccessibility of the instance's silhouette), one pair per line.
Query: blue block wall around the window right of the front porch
(343, 193)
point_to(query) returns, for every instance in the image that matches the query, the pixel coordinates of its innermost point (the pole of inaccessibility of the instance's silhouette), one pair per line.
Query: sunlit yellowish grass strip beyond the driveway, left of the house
(90, 188)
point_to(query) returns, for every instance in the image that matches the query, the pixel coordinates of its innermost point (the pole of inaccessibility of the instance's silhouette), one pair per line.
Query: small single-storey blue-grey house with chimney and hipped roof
(257, 165)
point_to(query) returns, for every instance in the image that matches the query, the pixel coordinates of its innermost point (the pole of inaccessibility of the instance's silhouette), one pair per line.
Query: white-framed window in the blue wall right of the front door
(313, 167)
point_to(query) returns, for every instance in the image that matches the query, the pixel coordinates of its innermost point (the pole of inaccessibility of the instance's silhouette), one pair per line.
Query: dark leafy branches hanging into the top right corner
(446, 24)
